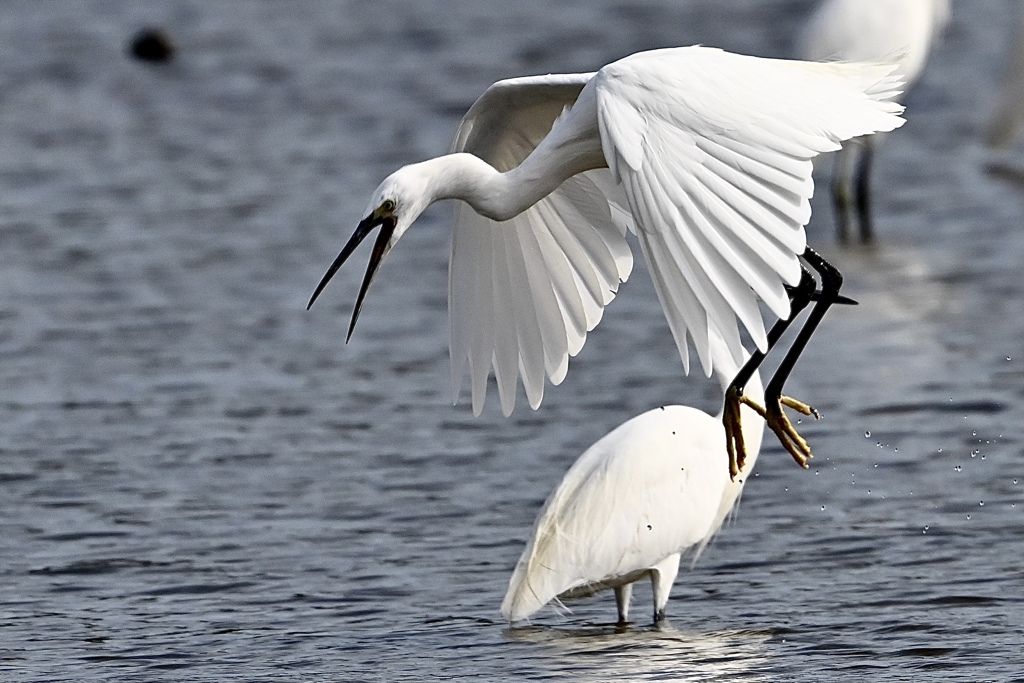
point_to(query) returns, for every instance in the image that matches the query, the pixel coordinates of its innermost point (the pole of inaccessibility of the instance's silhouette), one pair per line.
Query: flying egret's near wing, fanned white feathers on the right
(714, 153)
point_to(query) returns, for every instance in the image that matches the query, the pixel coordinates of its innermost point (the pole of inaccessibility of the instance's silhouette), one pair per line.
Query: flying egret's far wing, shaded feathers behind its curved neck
(524, 293)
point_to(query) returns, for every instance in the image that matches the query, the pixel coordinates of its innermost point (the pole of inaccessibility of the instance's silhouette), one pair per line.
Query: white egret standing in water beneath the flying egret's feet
(647, 493)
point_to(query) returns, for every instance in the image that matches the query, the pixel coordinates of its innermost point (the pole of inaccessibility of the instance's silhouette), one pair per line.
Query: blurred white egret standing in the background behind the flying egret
(870, 31)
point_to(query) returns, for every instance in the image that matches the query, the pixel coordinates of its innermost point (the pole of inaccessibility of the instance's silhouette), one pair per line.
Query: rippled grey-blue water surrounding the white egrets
(200, 482)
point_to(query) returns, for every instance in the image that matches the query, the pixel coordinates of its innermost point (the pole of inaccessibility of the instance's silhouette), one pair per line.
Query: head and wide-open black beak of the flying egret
(395, 206)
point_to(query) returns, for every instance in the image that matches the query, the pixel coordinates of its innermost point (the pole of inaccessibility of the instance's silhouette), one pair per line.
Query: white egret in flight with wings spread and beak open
(705, 155)
